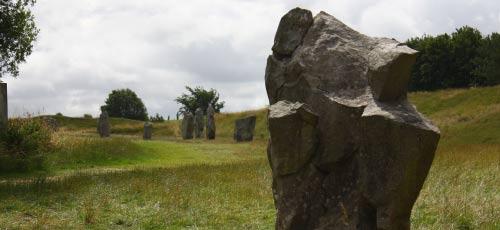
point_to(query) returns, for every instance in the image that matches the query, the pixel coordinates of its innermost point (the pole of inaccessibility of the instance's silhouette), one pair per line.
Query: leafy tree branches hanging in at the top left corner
(17, 34)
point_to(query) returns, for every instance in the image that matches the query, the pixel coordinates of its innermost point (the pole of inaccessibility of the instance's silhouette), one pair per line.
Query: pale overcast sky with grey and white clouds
(86, 48)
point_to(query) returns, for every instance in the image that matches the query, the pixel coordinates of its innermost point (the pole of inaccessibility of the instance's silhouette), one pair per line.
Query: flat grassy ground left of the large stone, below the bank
(186, 185)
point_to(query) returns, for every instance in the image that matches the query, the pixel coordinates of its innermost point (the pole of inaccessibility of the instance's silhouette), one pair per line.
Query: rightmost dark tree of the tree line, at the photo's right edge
(487, 62)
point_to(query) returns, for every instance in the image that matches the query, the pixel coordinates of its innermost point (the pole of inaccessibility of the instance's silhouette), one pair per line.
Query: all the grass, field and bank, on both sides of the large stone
(126, 183)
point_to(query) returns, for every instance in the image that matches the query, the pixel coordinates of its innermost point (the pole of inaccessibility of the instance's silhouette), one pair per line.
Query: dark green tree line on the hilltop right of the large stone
(463, 59)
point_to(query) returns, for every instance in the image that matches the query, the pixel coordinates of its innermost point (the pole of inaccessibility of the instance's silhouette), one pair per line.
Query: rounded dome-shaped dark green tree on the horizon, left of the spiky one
(124, 103)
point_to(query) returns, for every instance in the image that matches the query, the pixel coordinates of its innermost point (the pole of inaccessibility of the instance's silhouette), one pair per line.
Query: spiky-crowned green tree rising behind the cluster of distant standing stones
(199, 98)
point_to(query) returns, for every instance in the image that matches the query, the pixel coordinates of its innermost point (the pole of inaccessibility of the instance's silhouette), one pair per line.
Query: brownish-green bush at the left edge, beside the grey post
(23, 146)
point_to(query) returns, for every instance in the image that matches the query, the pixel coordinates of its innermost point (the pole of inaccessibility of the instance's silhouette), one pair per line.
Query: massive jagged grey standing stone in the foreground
(347, 150)
